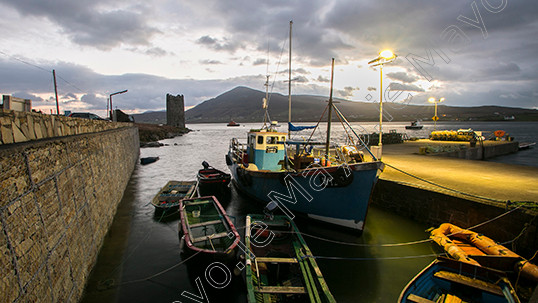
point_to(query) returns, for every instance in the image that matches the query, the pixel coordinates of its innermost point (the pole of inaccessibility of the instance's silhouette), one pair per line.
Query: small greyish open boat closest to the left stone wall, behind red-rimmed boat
(172, 193)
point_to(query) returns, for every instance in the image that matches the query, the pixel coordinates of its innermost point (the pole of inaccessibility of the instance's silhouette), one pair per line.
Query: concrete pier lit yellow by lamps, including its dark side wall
(470, 192)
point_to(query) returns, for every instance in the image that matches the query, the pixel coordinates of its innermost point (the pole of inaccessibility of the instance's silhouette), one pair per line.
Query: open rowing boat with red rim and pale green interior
(206, 228)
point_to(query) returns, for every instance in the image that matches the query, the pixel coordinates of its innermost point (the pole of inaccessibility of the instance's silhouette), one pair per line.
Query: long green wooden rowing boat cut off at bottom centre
(279, 265)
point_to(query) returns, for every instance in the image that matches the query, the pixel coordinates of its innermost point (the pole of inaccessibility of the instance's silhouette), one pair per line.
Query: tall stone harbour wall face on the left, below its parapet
(58, 198)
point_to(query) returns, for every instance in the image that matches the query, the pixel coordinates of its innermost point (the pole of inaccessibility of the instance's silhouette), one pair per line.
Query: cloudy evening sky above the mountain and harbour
(472, 53)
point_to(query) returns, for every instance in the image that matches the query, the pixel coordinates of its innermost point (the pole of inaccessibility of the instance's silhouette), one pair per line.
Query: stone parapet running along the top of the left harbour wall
(18, 127)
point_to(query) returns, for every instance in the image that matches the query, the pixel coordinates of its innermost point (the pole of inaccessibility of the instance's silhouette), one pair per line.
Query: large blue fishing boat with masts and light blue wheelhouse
(324, 181)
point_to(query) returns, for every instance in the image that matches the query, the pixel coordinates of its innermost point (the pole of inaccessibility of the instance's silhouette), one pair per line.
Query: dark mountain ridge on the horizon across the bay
(243, 104)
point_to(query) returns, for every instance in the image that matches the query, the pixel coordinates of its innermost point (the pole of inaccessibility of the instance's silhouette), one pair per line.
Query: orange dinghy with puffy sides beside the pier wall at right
(473, 248)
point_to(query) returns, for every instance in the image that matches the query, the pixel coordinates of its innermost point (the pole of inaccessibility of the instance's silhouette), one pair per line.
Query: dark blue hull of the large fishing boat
(343, 202)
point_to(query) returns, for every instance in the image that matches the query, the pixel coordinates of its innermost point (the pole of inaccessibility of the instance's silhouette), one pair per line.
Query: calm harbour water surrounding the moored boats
(365, 273)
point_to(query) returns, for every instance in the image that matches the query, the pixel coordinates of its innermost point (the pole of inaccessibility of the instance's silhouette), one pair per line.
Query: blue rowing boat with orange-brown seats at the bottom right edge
(446, 280)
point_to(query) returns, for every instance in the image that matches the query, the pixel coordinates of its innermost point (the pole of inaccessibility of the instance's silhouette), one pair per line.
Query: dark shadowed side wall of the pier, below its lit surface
(436, 207)
